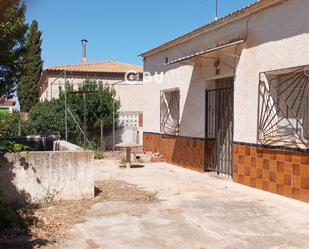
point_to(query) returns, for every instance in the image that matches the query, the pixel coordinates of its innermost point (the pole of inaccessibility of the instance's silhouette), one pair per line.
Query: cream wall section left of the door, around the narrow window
(192, 80)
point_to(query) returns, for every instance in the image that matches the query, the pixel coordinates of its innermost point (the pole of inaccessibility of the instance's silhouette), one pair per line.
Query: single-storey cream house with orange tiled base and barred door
(234, 97)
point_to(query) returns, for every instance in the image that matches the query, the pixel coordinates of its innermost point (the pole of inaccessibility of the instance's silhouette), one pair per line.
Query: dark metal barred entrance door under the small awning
(219, 130)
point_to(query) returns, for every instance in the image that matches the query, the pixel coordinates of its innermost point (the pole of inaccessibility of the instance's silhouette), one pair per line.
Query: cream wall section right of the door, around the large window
(278, 38)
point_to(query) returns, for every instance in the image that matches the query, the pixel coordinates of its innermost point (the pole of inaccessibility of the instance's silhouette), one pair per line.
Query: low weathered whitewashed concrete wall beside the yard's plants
(47, 176)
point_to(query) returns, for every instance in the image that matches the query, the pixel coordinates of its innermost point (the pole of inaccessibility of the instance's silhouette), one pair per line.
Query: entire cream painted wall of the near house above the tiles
(277, 38)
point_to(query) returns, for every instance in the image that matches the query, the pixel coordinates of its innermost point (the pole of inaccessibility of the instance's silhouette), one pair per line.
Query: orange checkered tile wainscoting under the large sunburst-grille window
(281, 171)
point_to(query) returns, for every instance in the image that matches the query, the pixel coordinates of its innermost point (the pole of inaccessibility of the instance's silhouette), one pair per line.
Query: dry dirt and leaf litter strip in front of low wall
(57, 218)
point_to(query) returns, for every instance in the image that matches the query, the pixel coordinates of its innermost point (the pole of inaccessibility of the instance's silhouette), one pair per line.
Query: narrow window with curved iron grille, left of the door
(169, 111)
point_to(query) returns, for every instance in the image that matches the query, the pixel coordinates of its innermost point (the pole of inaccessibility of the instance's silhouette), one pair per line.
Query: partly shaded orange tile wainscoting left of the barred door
(183, 151)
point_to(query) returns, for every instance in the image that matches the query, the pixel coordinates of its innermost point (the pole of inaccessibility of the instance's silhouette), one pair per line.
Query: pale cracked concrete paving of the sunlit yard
(195, 211)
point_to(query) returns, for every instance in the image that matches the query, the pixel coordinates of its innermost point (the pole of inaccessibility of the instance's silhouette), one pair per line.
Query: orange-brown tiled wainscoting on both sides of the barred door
(281, 171)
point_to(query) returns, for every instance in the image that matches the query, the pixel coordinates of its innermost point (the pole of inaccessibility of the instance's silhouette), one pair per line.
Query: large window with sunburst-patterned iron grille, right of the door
(284, 108)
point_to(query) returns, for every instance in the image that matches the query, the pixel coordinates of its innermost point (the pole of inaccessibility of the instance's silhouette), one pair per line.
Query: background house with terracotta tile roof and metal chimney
(108, 72)
